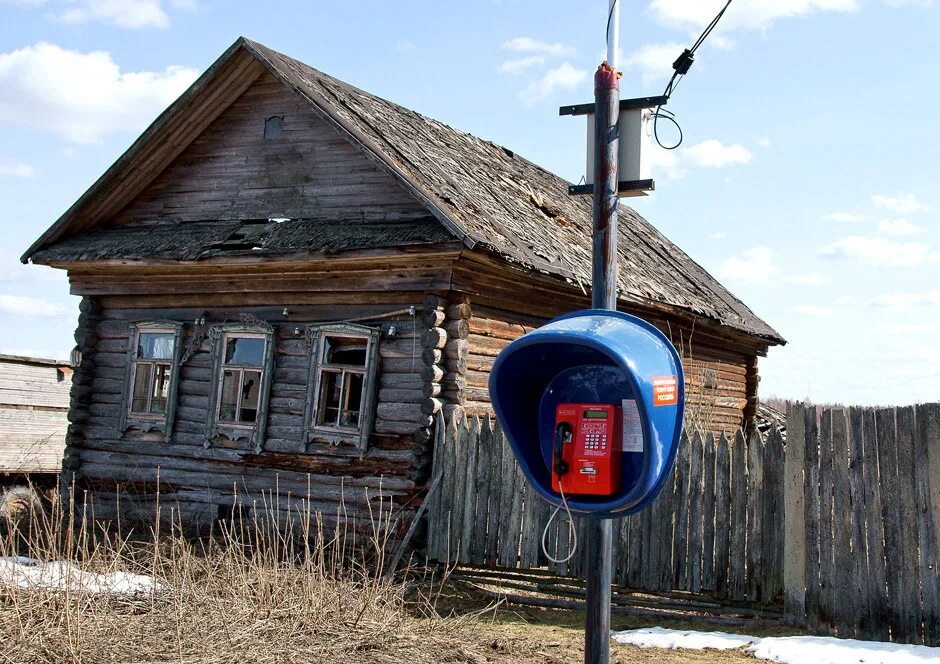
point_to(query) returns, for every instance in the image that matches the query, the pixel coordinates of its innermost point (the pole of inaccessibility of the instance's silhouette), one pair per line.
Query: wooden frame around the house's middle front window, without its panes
(252, 433)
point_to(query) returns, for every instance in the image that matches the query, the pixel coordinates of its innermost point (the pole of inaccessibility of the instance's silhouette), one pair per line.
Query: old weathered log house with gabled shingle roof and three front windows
(285, 278)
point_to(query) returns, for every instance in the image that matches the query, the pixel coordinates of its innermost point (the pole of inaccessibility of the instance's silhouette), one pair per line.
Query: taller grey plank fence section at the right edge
(862, 518)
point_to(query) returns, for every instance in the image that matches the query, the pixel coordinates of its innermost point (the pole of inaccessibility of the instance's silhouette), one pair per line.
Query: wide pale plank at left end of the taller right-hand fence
(794, 537)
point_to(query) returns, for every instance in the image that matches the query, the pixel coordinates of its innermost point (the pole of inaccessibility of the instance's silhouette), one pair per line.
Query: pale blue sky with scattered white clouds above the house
(807, 182)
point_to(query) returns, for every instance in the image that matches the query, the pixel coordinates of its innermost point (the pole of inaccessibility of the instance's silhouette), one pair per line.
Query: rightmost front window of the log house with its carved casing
(342, 383)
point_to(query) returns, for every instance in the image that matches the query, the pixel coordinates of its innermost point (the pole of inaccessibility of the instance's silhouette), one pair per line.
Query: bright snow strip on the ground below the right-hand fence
(784, 650)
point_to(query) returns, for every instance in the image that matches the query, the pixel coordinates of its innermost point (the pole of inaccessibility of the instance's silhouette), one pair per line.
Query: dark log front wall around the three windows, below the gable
(197, 476)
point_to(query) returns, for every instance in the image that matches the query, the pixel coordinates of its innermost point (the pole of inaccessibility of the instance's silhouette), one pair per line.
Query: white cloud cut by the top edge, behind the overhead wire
(755, 15)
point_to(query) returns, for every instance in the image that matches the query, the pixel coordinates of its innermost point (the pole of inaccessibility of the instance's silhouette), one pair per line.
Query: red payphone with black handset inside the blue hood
(587, 449)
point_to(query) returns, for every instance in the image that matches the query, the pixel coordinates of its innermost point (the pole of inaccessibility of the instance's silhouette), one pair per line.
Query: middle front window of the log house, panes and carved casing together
(242, 368)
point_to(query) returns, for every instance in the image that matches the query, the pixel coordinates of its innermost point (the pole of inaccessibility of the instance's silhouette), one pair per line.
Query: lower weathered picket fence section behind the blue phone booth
(716, 527)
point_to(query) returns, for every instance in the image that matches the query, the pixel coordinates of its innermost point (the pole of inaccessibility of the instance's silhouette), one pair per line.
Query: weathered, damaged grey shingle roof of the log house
(487, 196)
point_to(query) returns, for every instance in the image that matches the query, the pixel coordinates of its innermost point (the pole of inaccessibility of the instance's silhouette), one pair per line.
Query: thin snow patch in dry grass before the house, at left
(60, 575)
